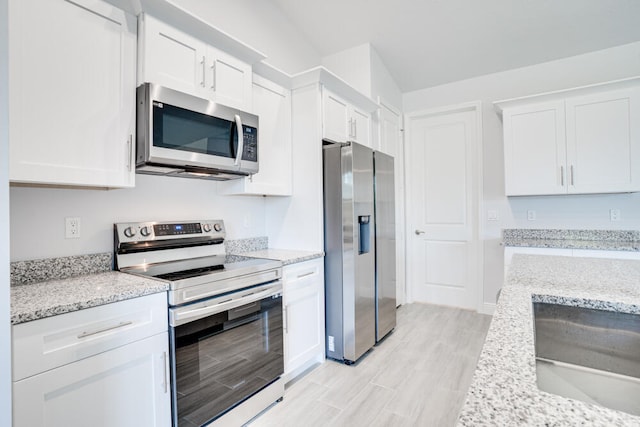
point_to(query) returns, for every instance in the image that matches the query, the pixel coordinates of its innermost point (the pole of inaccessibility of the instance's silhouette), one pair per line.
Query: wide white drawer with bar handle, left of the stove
(47, 343)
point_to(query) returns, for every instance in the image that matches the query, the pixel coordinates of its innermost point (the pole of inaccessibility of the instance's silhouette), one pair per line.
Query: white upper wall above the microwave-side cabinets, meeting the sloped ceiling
(261, 25)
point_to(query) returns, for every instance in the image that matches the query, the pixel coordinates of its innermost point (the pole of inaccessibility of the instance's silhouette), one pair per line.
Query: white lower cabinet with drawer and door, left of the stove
(103, 366)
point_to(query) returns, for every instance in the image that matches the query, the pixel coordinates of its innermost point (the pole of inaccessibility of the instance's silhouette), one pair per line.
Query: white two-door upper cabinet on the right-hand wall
(573, 144)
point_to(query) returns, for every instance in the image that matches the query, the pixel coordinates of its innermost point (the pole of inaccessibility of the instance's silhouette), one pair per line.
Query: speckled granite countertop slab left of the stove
(45, 299)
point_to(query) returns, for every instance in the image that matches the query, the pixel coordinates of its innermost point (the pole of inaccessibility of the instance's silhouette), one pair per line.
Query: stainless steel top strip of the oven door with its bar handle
(181, 315)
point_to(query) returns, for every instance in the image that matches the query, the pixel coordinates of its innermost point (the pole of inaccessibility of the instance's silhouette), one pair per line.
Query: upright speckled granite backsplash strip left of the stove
(34, 271)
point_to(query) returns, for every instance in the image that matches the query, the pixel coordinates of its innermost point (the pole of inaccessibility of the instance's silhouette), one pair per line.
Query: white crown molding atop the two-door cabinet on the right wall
(545, 97)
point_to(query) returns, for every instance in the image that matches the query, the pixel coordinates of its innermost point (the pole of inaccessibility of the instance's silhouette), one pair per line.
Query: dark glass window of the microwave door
(181, 129)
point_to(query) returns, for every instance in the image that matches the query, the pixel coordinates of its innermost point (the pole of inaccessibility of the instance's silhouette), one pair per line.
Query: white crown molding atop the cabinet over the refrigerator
(336, 84)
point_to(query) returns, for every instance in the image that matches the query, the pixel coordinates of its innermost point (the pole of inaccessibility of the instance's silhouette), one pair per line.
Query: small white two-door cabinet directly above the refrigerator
(342, 122)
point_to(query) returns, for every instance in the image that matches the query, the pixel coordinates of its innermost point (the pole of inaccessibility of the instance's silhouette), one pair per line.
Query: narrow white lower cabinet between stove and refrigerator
(304, 316)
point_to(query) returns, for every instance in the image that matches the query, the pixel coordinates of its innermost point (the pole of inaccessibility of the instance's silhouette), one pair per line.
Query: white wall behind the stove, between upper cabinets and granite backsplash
(38, 214)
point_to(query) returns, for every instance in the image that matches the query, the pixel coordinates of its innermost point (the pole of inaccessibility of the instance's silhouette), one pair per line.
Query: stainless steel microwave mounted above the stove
(182, 135)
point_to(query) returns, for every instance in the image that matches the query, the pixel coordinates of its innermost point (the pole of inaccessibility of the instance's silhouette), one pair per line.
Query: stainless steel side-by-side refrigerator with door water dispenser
(359, 235)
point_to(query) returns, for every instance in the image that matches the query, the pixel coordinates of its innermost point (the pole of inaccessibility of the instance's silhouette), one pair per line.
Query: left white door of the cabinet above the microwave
(172, 58)
